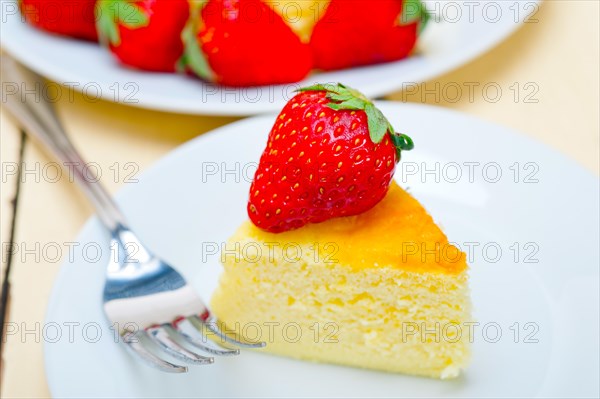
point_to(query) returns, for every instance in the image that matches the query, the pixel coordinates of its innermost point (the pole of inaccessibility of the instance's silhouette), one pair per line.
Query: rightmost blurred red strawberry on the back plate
(353, 33)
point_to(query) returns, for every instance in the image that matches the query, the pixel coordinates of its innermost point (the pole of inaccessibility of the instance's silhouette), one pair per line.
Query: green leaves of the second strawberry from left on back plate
(110, 14)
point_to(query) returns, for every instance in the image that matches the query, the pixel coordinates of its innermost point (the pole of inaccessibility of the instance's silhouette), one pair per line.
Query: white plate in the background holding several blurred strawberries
(463, 36)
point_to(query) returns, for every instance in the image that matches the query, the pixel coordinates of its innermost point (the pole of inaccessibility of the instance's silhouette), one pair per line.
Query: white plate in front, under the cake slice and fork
(197, 194)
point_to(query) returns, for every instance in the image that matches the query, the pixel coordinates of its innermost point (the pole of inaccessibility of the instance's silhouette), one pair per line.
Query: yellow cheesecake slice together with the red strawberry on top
(342, 254)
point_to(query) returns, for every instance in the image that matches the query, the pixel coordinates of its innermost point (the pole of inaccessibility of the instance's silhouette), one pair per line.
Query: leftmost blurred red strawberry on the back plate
(73, 18)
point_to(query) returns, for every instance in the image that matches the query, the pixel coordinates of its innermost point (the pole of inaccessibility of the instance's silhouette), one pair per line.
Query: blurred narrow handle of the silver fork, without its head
(39, 120)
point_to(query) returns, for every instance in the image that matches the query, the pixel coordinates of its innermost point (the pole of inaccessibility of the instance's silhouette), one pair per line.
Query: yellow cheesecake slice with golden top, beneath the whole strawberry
(382, 290)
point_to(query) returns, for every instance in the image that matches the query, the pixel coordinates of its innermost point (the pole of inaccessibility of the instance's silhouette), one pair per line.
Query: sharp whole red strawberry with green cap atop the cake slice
(330, 153)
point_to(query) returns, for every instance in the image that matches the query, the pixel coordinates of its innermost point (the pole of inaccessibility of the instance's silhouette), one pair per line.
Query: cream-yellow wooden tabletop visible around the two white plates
(554, 64)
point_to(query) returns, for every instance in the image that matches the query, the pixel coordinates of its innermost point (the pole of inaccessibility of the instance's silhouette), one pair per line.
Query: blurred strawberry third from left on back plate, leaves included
(245, 43)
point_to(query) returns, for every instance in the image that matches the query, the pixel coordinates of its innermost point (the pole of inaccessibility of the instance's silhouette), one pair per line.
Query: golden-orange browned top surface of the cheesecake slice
(397, 232)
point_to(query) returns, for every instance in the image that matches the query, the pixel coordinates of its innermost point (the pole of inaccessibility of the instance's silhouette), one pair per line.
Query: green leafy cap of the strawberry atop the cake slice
(346, 98)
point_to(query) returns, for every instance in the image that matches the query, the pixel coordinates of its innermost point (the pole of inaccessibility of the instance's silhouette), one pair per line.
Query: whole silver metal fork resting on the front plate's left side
(150, 303)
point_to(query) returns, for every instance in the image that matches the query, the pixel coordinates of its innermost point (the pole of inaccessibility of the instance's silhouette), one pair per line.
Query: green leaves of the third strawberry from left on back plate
(193, 58)
